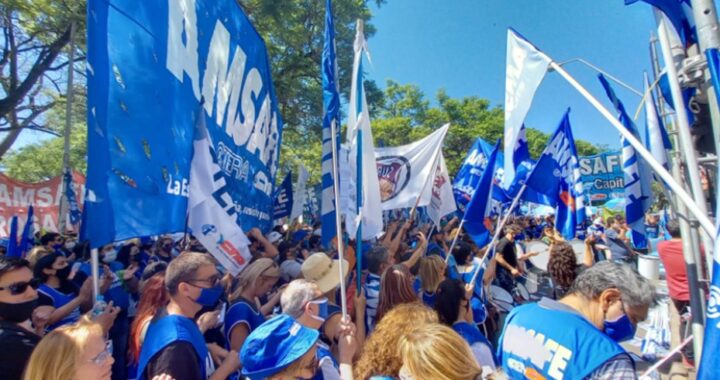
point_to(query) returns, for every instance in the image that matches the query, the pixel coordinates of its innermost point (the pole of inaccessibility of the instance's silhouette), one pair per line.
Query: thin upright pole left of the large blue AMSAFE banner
(64, 206)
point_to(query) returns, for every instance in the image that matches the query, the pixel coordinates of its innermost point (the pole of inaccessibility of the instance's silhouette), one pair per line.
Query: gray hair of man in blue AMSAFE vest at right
(636, 291)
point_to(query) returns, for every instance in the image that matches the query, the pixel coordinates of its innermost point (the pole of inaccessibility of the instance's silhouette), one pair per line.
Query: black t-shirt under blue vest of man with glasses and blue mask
(178, 360)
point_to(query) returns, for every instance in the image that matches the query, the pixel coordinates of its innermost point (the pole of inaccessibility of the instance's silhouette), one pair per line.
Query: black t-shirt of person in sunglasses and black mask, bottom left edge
(16, 345)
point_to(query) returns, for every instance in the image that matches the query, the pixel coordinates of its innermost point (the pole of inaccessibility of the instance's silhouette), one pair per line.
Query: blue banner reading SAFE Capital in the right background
(602, 176)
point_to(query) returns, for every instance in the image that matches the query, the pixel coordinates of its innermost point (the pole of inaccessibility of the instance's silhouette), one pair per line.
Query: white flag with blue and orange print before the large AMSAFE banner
(211, 212)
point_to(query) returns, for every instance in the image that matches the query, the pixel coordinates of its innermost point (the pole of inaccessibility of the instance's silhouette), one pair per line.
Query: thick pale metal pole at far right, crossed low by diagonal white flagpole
(684, 137)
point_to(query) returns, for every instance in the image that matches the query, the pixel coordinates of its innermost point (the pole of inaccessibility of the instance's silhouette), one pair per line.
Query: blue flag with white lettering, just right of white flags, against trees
(472, 170)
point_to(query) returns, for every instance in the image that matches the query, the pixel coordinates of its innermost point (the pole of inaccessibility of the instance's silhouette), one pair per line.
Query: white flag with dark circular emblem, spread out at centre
(406, 172)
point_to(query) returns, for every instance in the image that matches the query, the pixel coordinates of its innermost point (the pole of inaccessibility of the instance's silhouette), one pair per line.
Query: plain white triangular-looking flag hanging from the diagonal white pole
(525, 68)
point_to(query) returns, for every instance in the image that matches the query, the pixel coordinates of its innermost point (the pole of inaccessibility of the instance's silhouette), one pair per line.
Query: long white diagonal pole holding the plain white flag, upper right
(704, 221)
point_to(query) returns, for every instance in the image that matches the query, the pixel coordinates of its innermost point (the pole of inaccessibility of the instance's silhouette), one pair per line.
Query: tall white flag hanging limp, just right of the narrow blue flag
(359, 133)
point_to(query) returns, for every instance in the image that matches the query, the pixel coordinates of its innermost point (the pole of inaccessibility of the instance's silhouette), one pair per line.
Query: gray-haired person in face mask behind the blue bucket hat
(304, 301)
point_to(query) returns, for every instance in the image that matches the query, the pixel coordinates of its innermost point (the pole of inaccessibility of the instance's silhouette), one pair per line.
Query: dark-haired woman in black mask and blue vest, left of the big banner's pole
(64, 297)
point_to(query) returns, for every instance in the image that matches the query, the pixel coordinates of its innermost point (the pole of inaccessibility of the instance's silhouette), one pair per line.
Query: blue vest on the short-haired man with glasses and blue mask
(171, 329)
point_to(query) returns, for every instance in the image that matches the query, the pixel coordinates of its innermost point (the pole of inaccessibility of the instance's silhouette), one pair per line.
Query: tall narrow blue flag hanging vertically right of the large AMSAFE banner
(331, 106)
